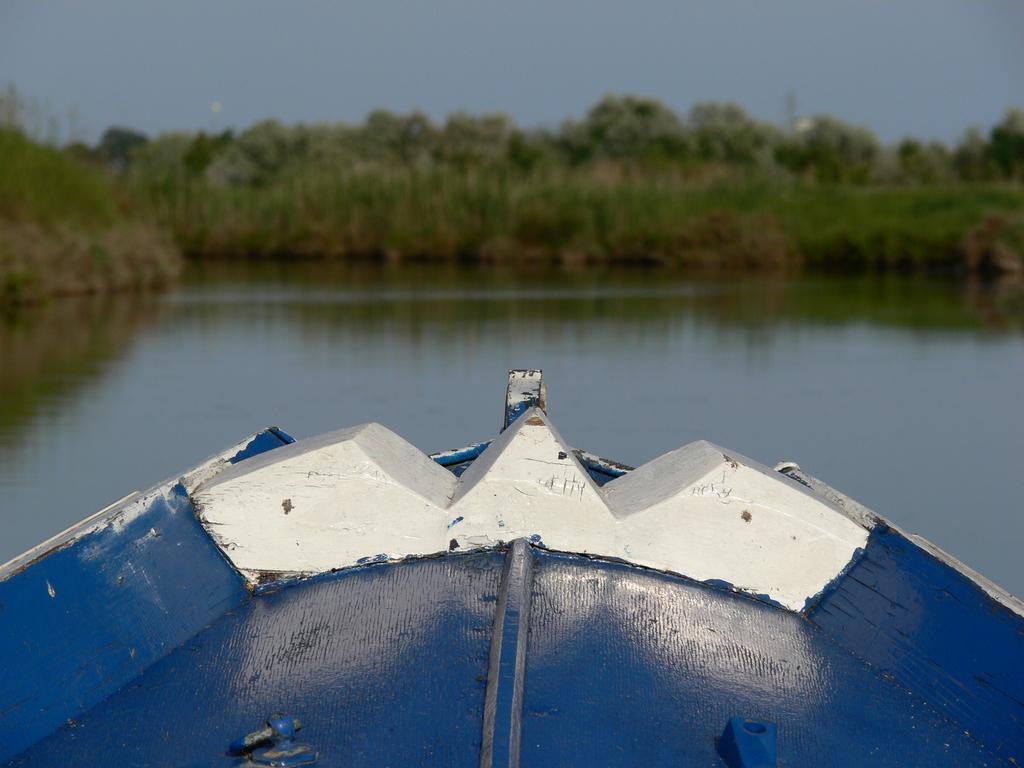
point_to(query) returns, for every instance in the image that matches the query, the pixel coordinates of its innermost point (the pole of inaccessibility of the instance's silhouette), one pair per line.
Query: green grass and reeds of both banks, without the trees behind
(71, 227)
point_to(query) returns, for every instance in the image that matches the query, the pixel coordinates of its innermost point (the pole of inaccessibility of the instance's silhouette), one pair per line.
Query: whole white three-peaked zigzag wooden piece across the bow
(366, 494)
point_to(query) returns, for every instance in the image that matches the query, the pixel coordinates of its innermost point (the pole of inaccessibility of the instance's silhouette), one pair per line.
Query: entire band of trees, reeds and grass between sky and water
(632, 183)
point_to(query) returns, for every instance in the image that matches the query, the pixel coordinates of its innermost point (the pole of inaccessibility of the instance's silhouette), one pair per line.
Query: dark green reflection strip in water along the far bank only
(450, 297)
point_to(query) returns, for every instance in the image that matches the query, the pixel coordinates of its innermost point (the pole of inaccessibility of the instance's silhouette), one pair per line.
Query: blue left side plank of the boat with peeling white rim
(89, 611)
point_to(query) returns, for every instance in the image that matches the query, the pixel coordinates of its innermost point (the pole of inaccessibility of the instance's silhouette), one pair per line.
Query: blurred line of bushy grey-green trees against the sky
(627, 134)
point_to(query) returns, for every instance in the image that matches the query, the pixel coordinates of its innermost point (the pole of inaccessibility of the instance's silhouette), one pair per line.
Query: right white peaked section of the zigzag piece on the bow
(730, 519)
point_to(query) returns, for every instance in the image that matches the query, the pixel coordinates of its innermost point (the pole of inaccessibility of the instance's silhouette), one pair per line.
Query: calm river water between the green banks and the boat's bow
(904, 393)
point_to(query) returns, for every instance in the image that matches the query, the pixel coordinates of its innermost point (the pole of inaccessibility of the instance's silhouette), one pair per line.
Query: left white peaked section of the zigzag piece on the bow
(328, 502)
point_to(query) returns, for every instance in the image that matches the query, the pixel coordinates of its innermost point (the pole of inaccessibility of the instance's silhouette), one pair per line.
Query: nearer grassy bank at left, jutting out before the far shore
(65, 229)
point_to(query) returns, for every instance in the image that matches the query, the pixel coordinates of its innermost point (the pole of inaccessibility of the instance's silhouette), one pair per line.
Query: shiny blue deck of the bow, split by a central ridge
(389, 665)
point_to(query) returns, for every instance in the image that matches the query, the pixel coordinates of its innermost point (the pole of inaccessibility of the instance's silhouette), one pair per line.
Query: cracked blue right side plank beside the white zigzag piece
(933, 630)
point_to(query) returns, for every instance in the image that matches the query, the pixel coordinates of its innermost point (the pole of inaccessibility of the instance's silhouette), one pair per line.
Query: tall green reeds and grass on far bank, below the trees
(586, 218)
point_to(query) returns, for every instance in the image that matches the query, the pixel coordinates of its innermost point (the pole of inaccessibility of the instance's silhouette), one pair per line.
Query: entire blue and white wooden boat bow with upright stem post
(517, 603)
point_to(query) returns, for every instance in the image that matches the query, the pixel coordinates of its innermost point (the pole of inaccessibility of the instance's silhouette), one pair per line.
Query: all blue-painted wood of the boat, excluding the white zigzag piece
(137, 644)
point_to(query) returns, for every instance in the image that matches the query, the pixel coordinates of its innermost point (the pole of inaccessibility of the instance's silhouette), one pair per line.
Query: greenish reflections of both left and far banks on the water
(50, 354)
